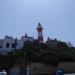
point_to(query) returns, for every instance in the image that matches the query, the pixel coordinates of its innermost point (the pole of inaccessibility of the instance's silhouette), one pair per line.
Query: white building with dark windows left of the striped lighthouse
(9, 44)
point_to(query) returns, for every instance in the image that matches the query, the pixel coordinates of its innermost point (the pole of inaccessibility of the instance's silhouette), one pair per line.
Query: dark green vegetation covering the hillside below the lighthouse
(51, 52)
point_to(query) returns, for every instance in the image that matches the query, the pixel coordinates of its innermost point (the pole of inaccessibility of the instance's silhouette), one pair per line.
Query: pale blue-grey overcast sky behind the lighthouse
(57, 17)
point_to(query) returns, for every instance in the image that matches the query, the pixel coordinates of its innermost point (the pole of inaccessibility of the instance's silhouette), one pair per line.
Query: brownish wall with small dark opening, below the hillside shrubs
(39, 68)
